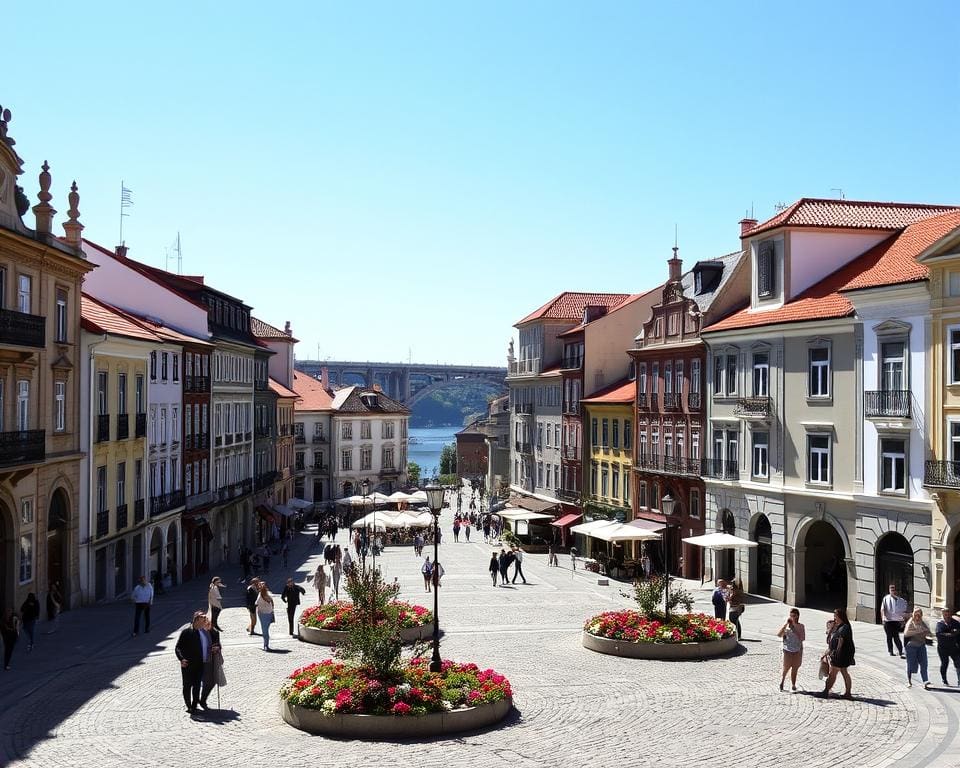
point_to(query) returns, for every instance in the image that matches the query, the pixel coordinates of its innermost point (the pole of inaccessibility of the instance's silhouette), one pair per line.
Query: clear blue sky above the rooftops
(393, 176)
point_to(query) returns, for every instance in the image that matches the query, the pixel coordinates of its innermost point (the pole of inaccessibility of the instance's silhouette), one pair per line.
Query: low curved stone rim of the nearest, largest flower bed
(385, 727)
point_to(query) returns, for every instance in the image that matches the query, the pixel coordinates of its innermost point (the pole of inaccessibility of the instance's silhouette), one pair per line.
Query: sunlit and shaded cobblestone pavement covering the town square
(92, 695)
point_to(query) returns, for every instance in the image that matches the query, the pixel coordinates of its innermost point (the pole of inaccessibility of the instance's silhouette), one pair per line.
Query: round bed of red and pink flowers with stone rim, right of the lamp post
(686, 635)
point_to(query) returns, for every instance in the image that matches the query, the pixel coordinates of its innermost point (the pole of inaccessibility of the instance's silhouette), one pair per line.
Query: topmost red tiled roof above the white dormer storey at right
(855, 214)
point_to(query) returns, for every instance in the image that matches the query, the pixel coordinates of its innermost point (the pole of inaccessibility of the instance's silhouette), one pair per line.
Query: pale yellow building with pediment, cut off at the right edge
(942, 470)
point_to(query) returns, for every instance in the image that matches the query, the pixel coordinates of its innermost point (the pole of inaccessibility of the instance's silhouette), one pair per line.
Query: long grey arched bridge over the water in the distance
(407, 382)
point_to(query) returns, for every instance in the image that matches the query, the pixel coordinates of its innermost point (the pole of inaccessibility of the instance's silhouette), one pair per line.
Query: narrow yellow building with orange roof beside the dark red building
(608, 442)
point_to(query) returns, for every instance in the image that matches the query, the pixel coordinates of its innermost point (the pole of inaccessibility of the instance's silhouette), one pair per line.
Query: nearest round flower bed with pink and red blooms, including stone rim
(340, 699)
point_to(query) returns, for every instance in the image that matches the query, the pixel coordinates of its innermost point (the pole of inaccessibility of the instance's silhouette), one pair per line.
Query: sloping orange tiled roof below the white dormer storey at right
(890, 262)
